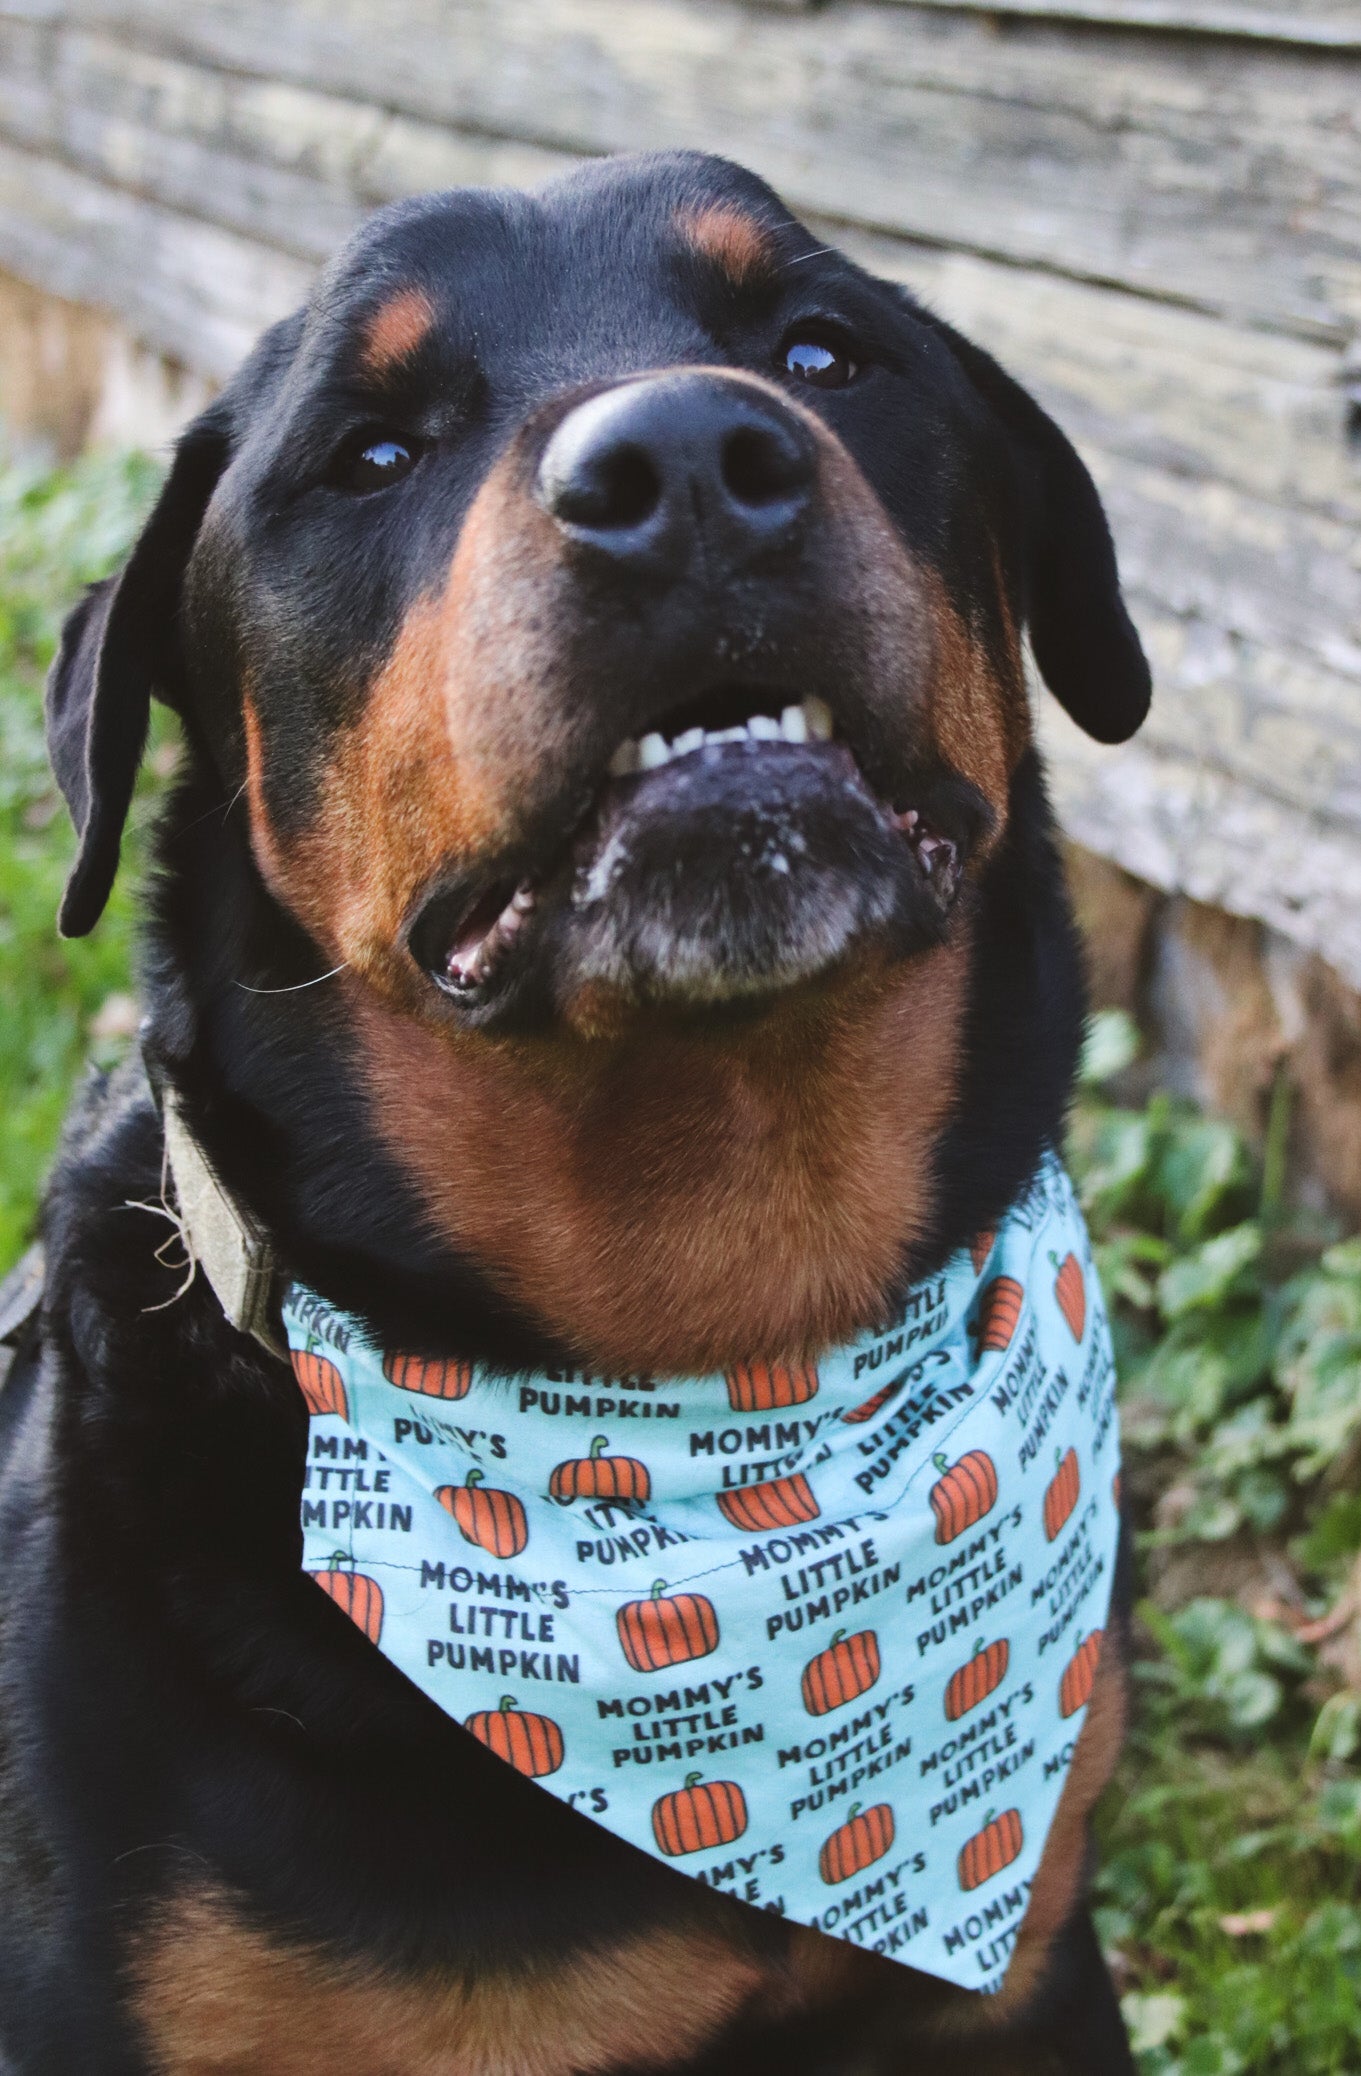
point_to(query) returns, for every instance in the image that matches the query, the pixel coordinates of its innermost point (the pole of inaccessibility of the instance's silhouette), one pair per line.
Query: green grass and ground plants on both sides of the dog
(1229, 1892)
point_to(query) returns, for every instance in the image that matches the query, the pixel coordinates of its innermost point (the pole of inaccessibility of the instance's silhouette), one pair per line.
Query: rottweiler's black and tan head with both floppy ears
(609, 609)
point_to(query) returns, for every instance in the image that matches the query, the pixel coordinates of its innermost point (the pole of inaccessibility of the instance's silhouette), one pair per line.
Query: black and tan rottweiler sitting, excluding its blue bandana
(520, 1033)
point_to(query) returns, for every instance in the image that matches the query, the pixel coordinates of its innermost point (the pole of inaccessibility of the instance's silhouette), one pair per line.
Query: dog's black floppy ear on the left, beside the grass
(119, 647)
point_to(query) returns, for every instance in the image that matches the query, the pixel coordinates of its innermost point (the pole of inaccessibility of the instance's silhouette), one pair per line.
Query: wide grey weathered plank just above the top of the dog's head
(1215, 173)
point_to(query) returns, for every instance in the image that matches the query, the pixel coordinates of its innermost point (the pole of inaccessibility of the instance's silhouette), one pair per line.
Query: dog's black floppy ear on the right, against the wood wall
(1082, 636)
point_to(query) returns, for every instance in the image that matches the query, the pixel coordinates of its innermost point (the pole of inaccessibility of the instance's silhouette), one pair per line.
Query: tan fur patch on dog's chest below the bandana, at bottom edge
(217, 1996)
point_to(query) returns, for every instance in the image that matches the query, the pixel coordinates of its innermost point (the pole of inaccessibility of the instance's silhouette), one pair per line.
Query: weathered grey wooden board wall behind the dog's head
(1152, 213)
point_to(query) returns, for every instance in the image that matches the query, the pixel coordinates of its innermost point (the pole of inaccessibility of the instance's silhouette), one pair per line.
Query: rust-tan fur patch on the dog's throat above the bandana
(677, 1201)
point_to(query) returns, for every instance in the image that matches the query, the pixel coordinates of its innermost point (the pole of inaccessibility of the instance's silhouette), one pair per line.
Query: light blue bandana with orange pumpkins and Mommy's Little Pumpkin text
(821, 1637)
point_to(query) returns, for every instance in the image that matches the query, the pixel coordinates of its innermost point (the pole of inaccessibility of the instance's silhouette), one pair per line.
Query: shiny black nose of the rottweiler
(650, 472)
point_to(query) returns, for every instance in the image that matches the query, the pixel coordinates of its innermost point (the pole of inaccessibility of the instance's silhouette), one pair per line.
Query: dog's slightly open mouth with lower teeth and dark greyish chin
(729, 850)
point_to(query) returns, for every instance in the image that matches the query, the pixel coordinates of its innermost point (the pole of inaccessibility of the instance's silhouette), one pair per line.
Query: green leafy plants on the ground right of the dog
(1231, 1874)
